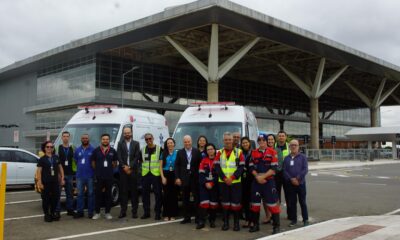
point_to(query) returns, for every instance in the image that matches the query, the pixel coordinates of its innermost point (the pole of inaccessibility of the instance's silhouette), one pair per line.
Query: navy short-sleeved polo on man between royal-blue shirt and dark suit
(104, 160)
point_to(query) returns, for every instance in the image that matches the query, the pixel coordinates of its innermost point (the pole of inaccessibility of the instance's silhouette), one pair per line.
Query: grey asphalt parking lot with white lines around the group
(332, 193)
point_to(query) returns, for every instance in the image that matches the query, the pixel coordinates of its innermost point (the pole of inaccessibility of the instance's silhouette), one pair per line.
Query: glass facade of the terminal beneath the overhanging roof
(101, 76)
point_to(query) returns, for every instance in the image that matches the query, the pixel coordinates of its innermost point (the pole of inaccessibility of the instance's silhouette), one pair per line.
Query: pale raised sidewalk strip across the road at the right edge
(354, 163)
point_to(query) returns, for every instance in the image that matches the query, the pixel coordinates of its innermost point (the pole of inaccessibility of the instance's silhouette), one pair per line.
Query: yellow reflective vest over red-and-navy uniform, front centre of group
(229, 166)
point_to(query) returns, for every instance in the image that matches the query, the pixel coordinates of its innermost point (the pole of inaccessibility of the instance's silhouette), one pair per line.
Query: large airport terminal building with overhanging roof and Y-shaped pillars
(208, 50)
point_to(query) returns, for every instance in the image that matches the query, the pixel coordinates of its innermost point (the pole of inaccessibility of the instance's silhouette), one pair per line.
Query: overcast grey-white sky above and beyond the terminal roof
(29, 27)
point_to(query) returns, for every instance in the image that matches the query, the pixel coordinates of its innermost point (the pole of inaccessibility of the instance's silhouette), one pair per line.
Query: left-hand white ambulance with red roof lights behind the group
(100, 119)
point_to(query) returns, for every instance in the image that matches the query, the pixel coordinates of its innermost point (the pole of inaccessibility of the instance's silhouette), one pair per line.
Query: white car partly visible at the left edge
(21, 165)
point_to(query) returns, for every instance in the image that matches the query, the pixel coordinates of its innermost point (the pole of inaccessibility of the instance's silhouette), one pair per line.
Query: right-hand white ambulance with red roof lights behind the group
(213, 120)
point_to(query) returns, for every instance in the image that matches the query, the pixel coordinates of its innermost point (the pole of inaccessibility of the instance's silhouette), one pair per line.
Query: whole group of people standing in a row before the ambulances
(236, 178)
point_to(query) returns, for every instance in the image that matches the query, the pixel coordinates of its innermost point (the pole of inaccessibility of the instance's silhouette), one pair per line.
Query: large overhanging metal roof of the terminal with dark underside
(280, 43)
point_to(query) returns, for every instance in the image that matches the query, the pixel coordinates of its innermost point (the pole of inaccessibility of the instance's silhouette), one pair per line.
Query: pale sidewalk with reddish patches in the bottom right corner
(360, 228)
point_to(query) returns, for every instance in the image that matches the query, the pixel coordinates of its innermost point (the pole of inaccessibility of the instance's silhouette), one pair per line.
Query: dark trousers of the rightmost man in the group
(294, 193)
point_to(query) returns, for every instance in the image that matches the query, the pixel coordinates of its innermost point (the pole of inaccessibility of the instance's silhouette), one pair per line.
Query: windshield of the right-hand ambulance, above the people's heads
(213, 131)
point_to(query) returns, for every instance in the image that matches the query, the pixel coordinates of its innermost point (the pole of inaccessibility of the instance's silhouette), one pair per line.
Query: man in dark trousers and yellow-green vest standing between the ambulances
(151, 176)
